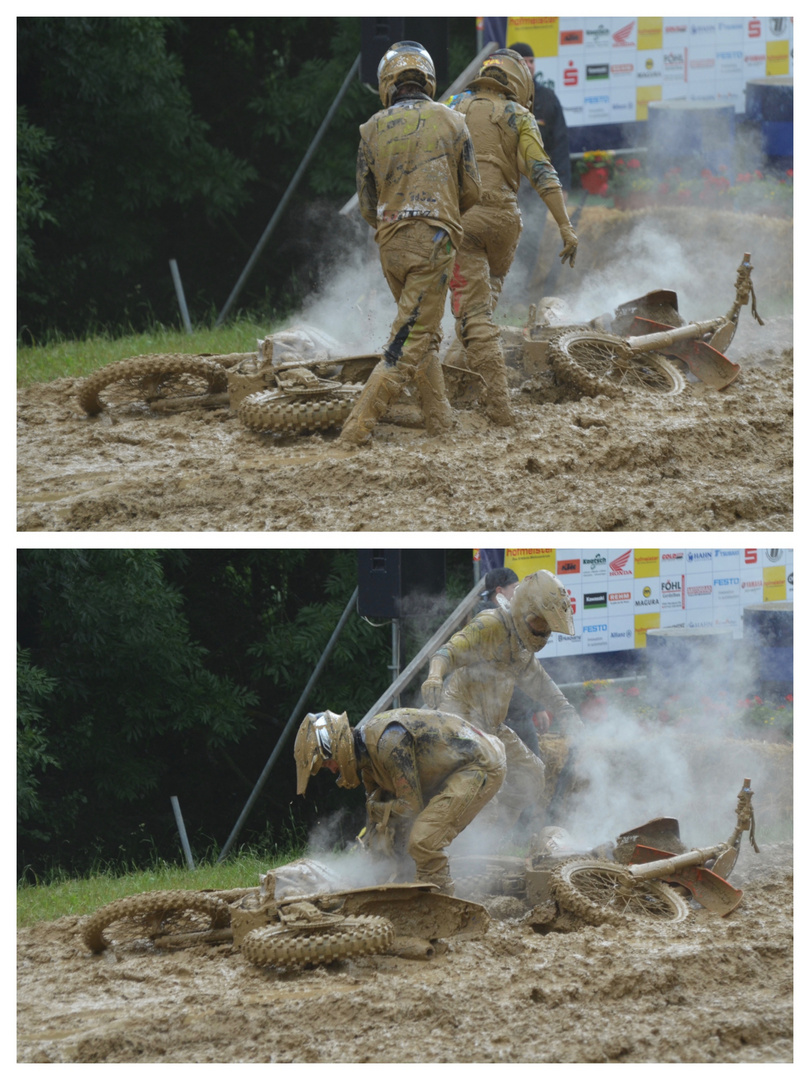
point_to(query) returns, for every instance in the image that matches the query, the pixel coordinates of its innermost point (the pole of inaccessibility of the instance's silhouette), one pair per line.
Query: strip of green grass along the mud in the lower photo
(38, 903)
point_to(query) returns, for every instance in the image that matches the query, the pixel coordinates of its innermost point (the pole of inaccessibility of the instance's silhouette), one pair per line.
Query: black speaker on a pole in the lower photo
(388, 577)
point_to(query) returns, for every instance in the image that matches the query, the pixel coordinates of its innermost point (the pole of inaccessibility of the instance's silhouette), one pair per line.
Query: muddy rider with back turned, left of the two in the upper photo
(416, 177)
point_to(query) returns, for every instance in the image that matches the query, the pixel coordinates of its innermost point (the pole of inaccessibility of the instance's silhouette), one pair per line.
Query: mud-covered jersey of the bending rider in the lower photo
(410, 753)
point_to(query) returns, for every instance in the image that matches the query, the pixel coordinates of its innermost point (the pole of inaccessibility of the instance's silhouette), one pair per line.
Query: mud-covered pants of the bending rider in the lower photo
(461, 800)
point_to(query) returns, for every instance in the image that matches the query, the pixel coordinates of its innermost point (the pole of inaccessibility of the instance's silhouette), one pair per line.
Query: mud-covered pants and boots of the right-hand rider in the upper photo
(492, 232)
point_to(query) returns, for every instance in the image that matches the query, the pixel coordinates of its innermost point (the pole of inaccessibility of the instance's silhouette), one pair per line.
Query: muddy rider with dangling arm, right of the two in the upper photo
(497, 106)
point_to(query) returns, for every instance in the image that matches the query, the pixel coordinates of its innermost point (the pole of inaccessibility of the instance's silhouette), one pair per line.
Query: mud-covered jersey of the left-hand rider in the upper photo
(416, 159)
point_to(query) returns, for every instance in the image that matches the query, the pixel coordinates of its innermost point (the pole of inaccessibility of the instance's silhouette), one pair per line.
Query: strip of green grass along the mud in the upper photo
(61, 359)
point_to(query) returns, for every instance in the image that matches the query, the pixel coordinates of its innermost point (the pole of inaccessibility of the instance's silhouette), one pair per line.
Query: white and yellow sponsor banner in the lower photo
(620, 593)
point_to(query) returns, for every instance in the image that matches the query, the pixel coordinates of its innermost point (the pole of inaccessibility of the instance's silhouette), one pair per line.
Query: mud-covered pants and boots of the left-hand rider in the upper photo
(417, 262)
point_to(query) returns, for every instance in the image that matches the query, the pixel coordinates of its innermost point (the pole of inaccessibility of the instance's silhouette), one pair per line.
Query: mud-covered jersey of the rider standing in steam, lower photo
(483, 663)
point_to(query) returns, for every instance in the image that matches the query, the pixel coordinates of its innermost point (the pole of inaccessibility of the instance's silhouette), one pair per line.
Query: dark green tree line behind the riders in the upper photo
(143, 140)
